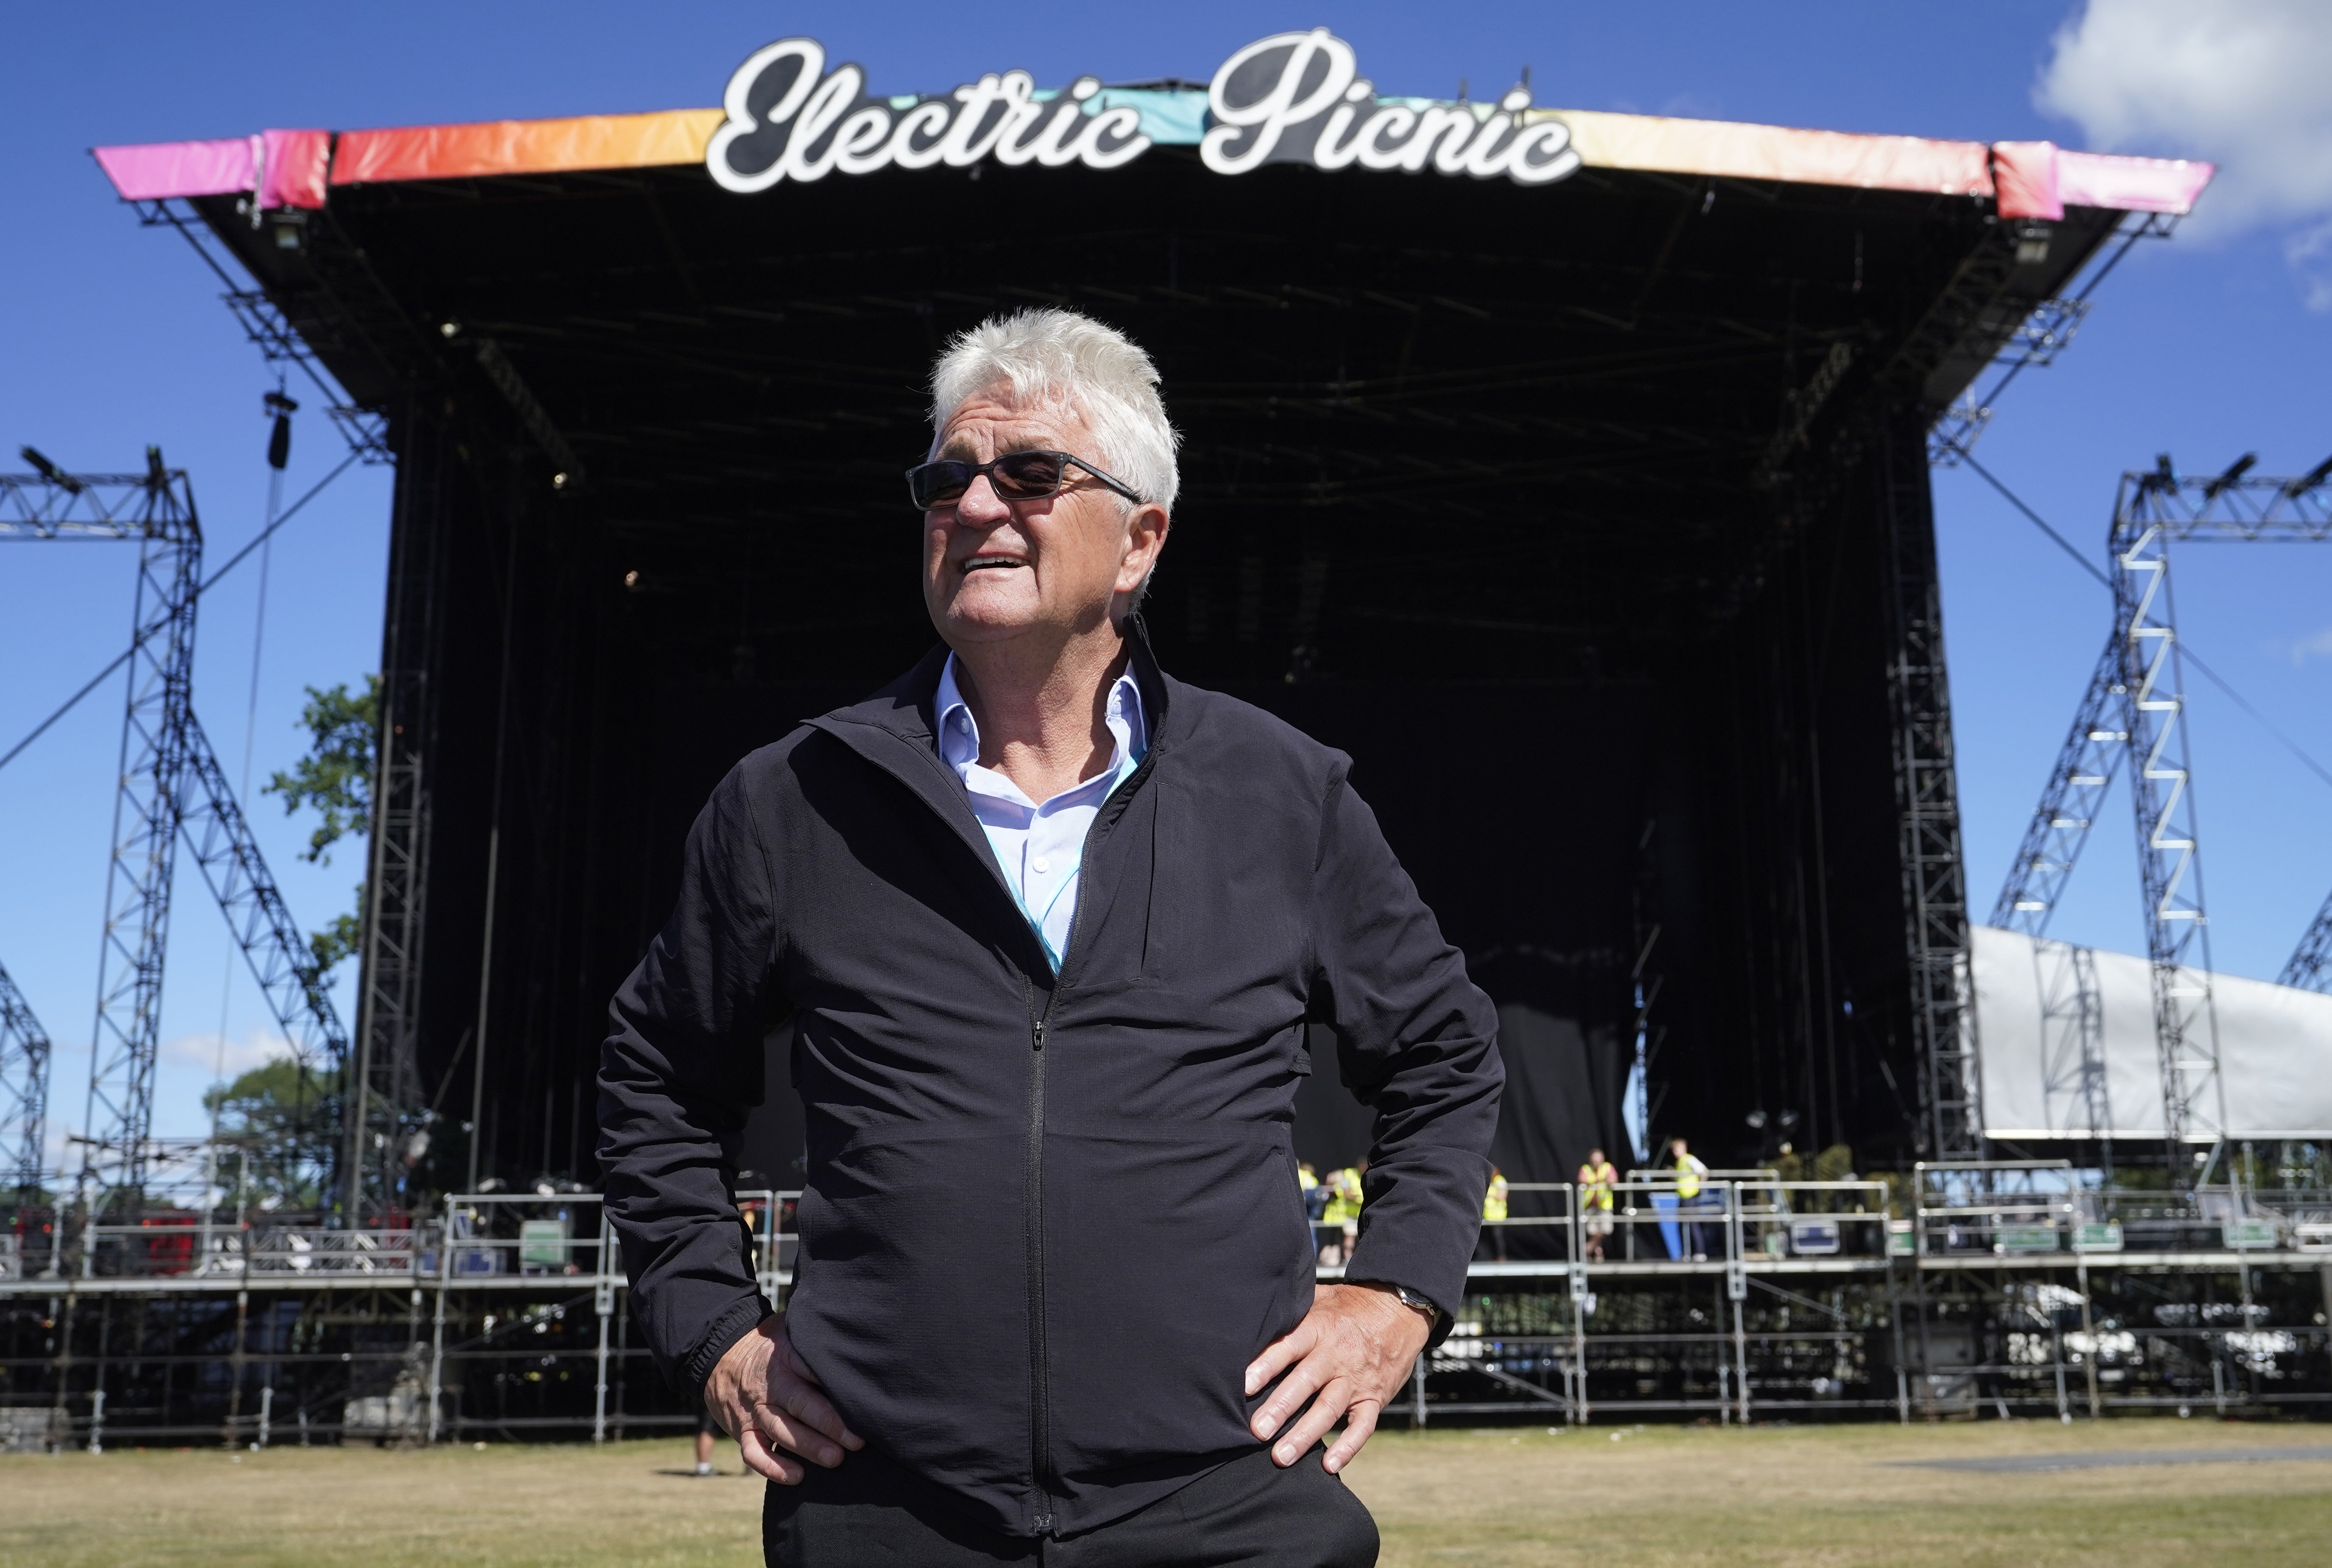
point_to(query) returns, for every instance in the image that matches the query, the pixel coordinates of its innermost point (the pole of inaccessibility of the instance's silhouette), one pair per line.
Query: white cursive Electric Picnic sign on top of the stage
(1284, 99)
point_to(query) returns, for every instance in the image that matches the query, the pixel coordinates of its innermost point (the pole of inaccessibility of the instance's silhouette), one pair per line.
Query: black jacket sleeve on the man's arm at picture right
(1419, 1045)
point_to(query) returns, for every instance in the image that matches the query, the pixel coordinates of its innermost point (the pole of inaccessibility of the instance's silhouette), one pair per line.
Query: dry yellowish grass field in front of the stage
(1601, 1497)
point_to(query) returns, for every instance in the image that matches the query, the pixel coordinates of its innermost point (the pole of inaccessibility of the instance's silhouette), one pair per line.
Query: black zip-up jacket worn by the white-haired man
(1048, 1220)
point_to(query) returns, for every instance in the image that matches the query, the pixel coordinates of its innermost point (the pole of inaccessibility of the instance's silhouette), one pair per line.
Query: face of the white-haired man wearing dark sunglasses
(1002, 570)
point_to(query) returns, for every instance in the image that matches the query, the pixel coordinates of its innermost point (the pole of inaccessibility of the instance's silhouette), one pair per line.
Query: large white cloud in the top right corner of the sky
(2242, 83)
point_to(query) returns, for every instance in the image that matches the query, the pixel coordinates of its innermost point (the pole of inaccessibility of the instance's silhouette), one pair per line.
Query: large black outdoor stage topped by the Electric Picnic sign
(1592, 472)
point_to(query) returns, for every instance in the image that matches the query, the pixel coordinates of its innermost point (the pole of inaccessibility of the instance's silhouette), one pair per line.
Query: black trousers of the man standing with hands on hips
(871, 1511)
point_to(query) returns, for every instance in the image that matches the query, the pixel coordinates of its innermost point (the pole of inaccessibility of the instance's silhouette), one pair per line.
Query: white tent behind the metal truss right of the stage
(2067, 1045)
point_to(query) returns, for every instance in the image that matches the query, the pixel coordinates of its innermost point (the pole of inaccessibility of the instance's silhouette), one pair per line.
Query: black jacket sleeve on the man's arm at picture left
(680, 1068)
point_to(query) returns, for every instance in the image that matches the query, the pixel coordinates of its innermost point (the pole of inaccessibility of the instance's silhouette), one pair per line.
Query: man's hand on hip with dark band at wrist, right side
(1354, 1350)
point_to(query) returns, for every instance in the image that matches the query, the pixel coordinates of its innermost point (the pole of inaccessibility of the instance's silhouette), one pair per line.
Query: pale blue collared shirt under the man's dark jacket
(1039, 847)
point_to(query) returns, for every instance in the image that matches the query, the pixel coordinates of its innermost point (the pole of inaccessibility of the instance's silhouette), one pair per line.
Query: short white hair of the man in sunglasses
(1076, 362)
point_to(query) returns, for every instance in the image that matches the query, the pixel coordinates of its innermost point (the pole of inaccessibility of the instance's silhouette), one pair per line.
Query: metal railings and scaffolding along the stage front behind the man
(500, 1311)
